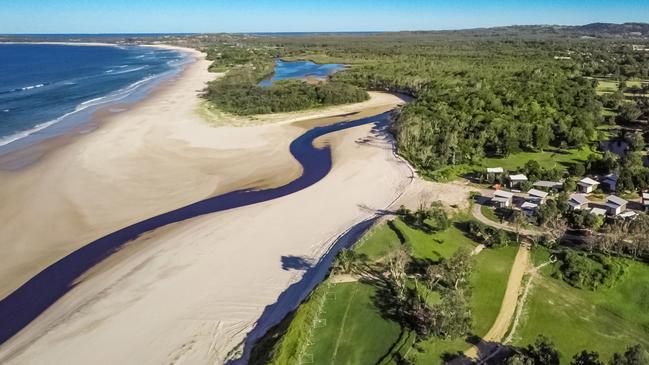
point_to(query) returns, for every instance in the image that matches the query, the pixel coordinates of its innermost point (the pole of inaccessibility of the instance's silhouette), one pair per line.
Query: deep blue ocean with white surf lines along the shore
(43, 84)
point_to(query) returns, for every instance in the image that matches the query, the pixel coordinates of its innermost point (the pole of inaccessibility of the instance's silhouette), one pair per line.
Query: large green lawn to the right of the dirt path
(607, 320)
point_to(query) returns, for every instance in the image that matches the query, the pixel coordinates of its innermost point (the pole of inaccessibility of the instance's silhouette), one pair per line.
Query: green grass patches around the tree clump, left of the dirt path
(352, 331)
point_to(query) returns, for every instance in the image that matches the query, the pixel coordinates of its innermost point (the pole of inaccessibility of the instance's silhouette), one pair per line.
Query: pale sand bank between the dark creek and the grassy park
(188, 293)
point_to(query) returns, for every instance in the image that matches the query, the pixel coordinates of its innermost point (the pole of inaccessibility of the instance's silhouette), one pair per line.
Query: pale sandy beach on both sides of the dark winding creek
(189, 292)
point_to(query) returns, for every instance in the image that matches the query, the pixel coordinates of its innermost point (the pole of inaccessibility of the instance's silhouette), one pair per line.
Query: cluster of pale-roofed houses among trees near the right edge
(537, 196)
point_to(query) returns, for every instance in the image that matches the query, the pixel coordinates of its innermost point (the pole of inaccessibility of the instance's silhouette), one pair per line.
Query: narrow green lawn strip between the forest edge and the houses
(548, 159)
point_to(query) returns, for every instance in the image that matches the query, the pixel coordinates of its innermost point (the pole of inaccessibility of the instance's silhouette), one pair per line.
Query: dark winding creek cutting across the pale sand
(26, 303)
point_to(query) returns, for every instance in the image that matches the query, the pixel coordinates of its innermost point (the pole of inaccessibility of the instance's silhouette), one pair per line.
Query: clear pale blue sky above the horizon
(125, 16)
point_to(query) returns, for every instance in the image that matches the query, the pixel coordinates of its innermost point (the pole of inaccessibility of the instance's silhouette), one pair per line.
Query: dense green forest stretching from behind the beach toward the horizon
(474, 96)
